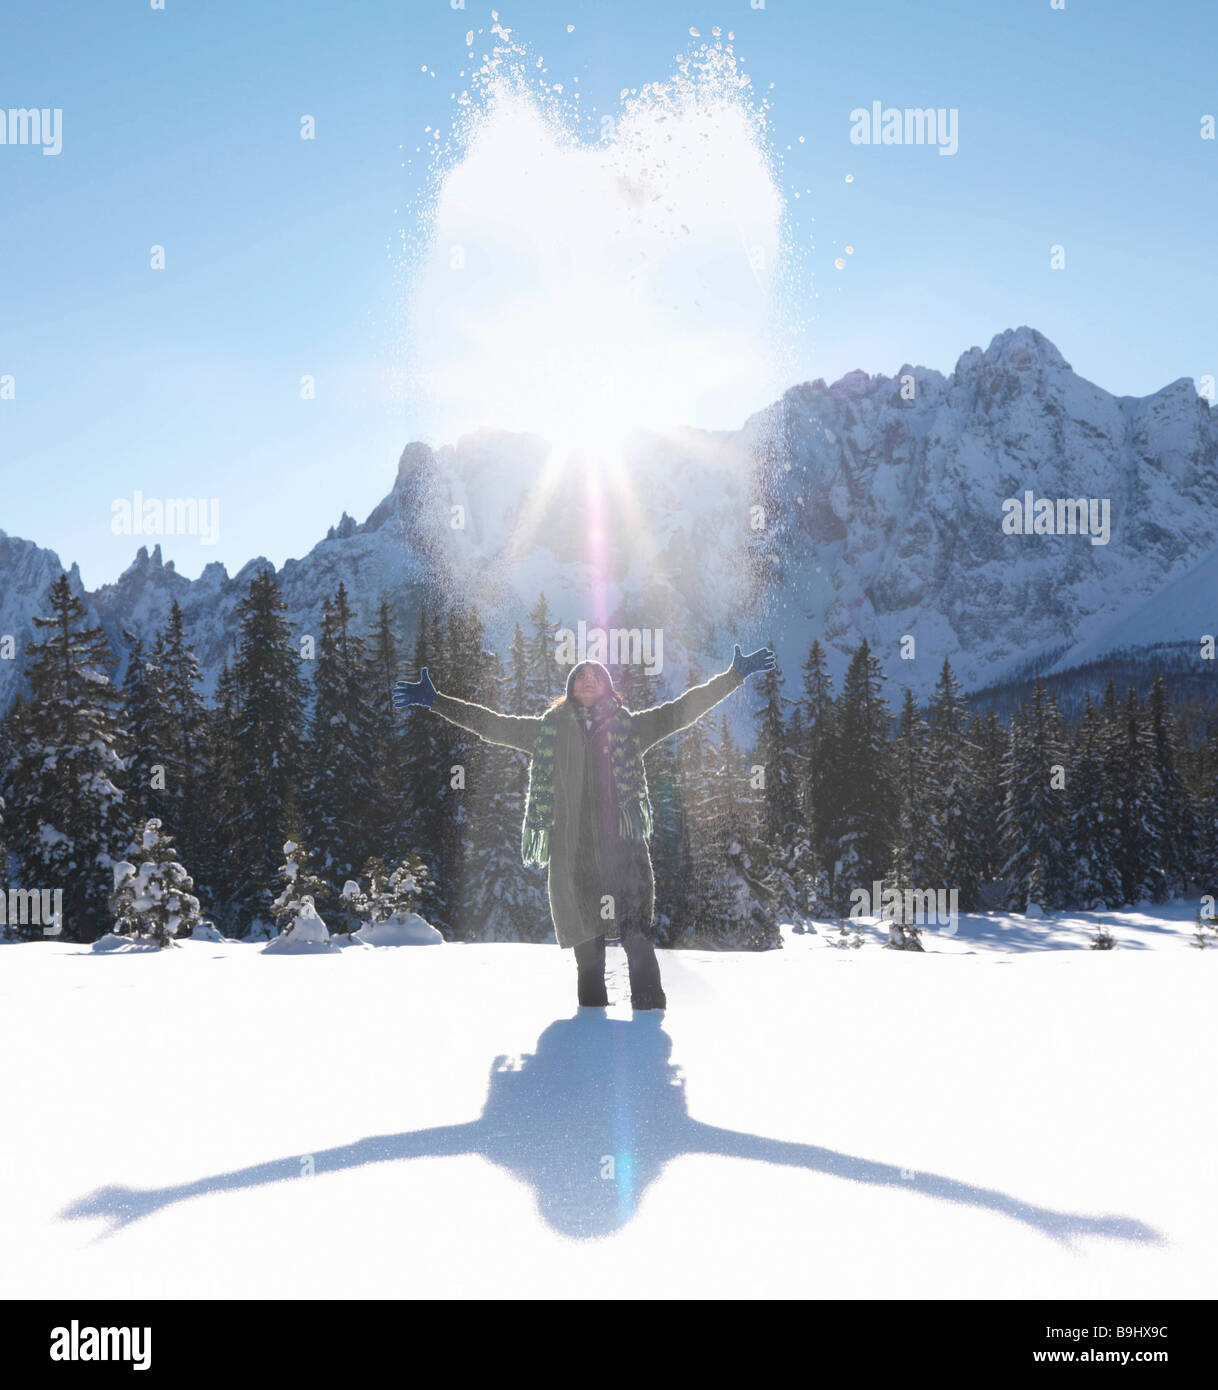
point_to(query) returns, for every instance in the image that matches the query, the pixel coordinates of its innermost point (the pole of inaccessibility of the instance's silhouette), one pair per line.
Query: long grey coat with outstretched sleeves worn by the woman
(575, 889)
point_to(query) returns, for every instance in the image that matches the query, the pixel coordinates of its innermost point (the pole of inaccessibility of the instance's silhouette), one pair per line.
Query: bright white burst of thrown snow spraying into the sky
(592, 273)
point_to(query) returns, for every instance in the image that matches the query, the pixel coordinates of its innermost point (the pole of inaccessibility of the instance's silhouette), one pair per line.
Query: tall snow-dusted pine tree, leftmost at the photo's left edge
(67, 822)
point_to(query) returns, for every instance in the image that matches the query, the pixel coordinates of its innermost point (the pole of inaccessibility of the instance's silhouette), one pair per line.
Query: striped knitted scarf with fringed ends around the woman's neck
(625, 761)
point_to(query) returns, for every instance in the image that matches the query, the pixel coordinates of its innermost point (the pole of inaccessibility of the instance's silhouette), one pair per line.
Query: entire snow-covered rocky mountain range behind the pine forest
(882, 504)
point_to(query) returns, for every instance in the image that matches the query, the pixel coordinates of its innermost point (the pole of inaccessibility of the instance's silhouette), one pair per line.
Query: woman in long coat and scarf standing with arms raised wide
(589, 815)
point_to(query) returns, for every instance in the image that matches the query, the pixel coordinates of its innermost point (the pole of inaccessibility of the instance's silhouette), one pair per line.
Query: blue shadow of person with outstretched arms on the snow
(597, 1088)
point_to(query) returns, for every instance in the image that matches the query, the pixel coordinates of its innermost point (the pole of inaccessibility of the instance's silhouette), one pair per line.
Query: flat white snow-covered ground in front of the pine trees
(1007, 1115)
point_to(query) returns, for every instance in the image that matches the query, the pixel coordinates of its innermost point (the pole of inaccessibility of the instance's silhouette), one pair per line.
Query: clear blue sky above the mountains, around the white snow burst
(284, 258)
